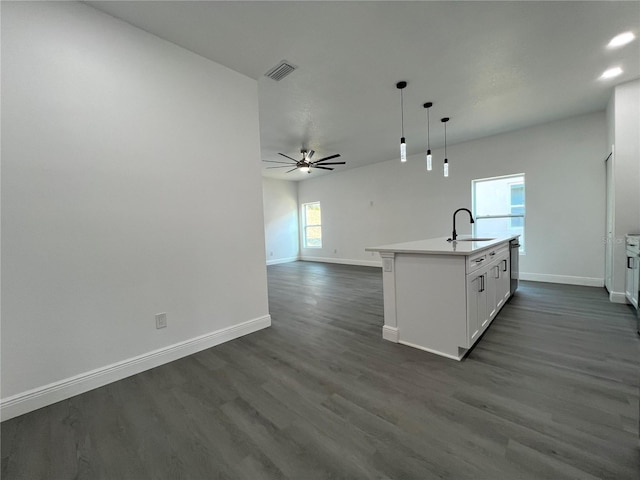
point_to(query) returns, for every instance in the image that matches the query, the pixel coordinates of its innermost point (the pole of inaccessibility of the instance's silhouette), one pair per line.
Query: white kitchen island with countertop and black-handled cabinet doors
(440, 296)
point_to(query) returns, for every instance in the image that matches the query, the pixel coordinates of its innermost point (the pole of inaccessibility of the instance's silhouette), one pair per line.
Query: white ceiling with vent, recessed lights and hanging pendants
(490, 66)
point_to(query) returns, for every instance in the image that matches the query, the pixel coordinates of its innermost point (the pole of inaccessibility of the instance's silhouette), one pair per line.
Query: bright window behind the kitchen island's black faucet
(499, 206)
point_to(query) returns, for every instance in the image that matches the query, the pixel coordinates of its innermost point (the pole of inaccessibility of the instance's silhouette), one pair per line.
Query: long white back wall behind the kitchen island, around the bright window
(392, 202)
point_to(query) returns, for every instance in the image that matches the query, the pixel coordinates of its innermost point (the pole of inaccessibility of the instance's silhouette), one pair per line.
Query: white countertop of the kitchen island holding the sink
(440, 246)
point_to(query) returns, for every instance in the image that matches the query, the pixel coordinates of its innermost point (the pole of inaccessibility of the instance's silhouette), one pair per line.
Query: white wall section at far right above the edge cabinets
(623, 128)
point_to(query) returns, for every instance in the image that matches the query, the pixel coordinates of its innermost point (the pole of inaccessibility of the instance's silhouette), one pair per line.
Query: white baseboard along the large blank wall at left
(54, 392)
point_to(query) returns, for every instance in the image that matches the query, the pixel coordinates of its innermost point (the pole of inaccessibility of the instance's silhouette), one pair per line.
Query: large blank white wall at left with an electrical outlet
(131, 186)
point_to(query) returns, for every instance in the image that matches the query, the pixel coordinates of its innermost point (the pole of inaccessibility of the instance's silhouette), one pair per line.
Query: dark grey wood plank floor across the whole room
(550, 392)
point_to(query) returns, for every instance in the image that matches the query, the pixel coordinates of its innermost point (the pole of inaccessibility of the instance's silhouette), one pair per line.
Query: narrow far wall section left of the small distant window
(281, 230)
